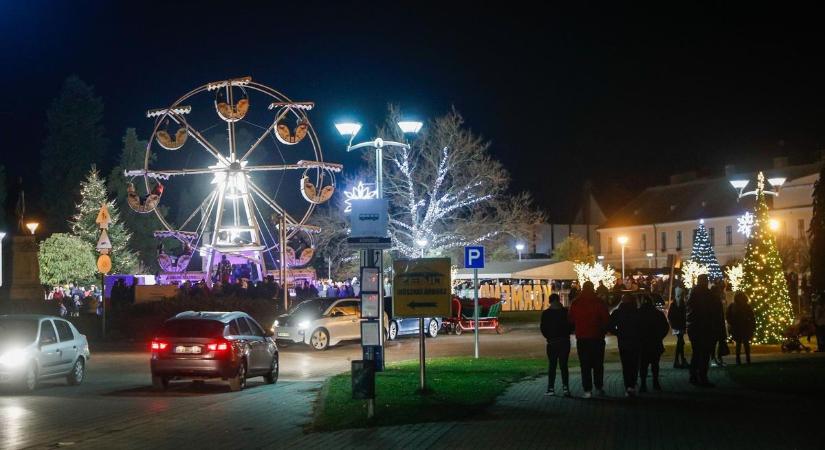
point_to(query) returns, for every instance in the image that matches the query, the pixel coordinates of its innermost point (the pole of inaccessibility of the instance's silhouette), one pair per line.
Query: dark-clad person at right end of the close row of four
(654, 328)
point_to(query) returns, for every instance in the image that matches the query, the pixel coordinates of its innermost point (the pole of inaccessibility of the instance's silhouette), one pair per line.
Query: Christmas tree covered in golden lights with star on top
(763, 280)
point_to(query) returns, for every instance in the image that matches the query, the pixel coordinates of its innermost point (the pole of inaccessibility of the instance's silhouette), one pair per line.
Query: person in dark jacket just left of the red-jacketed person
(556, 330)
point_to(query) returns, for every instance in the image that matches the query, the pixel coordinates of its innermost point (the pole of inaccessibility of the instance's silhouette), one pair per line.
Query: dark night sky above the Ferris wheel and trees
(622, 97)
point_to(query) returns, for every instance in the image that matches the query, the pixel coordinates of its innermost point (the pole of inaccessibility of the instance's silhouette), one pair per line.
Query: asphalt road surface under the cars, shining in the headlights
(115, 407)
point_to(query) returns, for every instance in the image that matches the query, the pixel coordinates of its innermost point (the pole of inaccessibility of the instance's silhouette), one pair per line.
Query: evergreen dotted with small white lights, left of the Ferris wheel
(92, 195)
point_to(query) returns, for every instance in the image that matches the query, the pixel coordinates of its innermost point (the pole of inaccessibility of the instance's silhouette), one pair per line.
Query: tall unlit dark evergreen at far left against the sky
(74, 140)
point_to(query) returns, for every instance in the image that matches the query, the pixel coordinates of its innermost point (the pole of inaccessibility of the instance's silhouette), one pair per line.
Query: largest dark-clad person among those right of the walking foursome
(703, 325)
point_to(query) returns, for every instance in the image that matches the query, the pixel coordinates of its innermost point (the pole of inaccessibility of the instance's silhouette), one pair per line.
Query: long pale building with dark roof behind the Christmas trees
(662, 219)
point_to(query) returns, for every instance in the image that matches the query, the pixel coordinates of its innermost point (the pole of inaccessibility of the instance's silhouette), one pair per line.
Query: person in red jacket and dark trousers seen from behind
(590, 319)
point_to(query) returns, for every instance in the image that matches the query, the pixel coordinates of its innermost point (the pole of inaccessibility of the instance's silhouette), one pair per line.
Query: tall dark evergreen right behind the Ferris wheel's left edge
(142, 226)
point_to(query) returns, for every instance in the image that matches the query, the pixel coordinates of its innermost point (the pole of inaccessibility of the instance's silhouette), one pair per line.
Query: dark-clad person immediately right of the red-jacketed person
(624, 323)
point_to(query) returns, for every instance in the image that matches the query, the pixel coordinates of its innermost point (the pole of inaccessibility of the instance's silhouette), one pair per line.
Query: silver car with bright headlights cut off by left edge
(34, 348)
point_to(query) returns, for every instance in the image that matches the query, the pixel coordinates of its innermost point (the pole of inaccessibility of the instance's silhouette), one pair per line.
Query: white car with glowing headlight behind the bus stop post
(321, 322)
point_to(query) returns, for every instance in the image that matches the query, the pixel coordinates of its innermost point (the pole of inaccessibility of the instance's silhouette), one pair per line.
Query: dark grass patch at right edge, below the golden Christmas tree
(802, 376)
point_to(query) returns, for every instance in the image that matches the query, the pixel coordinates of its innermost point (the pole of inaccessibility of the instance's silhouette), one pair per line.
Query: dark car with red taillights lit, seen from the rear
(201, 345)
